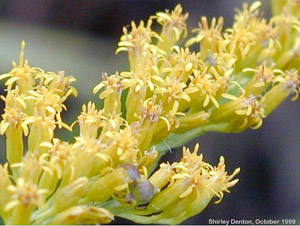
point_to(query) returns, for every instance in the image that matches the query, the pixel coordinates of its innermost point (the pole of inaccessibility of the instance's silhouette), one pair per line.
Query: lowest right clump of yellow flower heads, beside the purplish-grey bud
(186, 189)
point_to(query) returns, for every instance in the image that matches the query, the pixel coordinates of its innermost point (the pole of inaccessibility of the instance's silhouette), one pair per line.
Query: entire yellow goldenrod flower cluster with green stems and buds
(169, 95)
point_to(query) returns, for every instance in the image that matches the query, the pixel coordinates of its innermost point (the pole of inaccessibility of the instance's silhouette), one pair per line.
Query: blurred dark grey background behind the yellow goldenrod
(80, 37)
